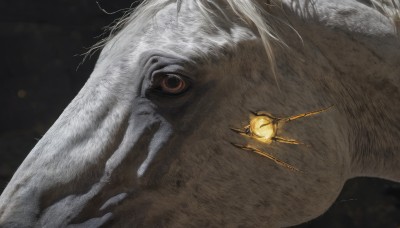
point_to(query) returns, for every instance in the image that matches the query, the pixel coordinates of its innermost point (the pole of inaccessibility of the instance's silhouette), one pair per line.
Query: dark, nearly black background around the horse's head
(41, 42)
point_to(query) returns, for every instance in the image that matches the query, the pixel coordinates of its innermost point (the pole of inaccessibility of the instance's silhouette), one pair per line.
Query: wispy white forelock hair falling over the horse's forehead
(250, 11)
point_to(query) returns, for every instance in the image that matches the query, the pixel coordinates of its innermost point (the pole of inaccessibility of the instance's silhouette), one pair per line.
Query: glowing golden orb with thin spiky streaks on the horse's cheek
(264, 128)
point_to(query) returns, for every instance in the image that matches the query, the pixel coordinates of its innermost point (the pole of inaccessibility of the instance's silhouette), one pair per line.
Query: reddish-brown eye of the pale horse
(172, 84)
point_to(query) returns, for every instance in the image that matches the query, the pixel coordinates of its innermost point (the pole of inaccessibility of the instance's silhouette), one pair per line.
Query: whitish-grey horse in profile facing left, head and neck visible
(148, 143)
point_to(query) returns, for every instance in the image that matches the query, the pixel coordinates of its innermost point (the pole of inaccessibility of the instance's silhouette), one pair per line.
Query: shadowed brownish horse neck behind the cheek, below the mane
(366, 86)
